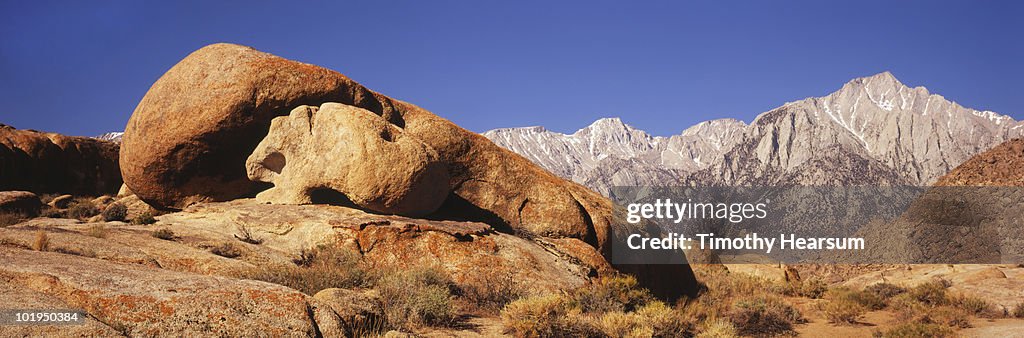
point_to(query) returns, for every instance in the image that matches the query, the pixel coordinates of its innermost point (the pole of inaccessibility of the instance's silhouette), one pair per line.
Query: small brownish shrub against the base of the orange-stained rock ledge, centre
(490, 290)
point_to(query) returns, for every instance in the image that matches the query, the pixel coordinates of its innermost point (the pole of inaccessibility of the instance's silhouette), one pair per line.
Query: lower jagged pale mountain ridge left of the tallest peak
(611, 153)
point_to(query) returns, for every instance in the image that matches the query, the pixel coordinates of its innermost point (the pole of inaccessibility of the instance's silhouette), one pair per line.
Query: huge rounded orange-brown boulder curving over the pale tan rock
(189, 139)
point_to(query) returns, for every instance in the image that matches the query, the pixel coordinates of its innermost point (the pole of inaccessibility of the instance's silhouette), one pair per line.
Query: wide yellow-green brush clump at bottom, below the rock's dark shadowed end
(611, 307)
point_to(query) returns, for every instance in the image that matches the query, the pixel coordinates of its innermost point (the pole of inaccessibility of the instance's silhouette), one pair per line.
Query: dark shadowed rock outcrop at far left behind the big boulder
(41, 163)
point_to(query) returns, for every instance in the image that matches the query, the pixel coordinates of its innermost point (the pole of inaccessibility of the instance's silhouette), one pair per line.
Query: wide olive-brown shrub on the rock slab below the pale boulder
(324, 268)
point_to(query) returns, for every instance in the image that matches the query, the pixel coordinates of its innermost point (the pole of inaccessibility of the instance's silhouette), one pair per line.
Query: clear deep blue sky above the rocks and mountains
(81, 67)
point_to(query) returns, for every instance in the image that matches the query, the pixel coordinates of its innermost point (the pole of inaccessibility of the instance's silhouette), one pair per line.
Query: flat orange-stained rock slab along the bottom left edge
(146, 302)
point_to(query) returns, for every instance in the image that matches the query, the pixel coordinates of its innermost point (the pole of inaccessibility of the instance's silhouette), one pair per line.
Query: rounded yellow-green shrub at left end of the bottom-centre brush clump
(548, 316)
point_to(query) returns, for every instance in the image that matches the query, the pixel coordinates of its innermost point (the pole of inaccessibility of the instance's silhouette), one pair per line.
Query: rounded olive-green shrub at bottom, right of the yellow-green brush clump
(764, 316)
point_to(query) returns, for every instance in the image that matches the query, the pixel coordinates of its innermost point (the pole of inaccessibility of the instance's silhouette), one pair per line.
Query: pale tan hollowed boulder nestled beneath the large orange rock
(351, 151)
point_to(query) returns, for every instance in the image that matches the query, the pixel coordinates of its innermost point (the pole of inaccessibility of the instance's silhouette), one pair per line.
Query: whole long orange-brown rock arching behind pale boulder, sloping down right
(222, 99)
